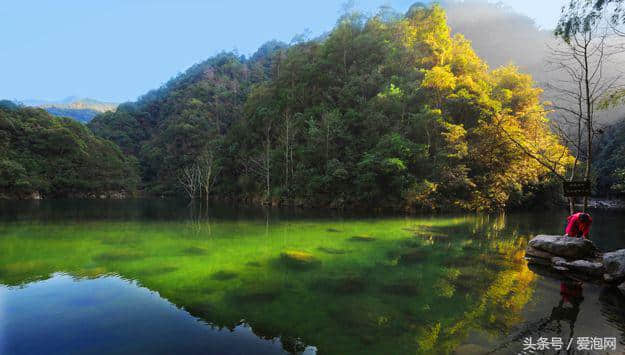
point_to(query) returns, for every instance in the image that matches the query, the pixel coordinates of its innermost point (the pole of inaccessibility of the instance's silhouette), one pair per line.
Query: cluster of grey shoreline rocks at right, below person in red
(577, 259)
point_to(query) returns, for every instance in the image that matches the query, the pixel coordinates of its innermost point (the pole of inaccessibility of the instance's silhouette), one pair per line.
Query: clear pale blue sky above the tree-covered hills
(117, 50)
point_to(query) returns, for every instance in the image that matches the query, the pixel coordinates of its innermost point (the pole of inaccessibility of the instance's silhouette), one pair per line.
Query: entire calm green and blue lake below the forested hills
(159, 276)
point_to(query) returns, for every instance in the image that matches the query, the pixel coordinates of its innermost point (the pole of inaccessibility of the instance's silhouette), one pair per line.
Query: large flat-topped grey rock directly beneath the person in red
(571, 248)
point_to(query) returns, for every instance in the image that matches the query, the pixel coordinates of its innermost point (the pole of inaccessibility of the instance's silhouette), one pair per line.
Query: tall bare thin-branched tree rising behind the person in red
(581, 58)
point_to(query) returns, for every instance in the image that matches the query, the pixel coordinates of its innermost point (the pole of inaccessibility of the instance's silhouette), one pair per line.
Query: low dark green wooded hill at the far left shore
(49, 156)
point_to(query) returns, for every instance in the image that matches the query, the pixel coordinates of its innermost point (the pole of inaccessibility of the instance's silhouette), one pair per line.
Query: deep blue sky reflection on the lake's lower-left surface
(65, 315)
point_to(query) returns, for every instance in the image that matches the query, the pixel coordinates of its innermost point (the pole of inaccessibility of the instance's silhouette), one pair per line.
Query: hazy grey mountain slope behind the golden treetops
(503, 36)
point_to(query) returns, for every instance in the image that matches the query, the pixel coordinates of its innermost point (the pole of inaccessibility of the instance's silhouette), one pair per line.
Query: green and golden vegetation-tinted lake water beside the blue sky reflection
(279, 281)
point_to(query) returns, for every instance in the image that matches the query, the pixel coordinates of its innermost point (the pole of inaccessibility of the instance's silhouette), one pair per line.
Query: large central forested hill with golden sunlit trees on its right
(383, 112)
